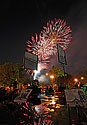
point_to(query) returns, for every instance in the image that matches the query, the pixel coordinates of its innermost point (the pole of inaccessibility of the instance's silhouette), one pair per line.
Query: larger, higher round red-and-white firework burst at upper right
(55, 33)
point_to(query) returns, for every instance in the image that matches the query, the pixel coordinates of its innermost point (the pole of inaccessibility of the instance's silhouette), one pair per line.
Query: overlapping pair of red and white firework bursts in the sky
(45, 45)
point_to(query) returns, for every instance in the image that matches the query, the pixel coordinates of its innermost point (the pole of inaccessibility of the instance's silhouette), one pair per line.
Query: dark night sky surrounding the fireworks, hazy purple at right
(20, 19)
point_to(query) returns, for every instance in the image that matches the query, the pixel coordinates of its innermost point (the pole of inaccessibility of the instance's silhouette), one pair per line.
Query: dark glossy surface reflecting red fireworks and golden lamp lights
(43, 113)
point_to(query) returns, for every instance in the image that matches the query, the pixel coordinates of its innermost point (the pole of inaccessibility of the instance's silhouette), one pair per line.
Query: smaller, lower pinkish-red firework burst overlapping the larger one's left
(39, 48)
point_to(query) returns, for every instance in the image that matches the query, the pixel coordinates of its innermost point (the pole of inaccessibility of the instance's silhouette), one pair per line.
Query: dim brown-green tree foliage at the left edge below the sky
(9, 72)
